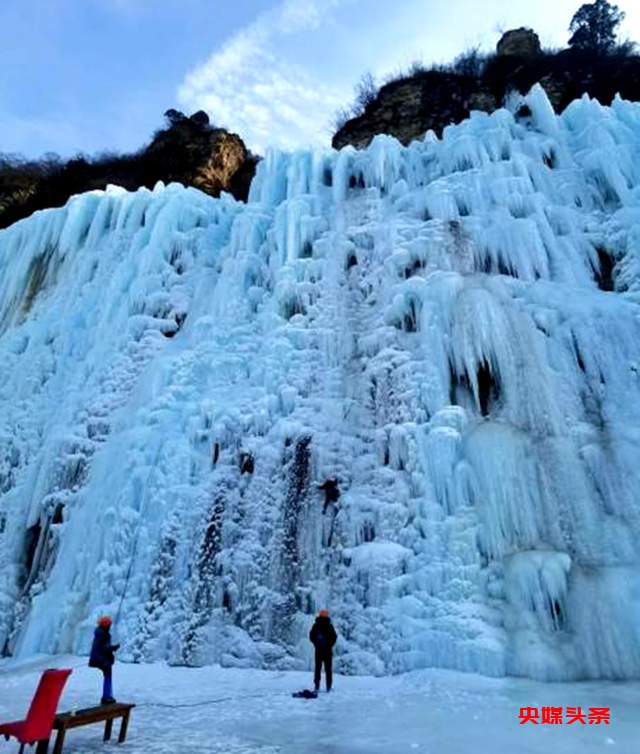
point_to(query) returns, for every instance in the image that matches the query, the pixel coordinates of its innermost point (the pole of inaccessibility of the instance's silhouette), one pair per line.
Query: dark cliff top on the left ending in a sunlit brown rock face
(188, 151)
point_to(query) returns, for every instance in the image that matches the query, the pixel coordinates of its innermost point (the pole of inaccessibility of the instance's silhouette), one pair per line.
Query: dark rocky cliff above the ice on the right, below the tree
(432, 99)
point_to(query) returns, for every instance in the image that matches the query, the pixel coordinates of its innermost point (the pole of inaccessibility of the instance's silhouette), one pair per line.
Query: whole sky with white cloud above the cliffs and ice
(94, 75)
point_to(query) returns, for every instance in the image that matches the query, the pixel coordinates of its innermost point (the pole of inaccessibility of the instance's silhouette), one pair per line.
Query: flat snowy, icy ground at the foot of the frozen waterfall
(252, 712)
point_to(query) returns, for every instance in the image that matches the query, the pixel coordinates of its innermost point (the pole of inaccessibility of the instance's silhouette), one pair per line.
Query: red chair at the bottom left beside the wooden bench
(36, 727)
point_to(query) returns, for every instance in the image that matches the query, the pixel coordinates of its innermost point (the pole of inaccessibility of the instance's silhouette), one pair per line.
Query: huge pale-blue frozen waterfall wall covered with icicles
(451, 330)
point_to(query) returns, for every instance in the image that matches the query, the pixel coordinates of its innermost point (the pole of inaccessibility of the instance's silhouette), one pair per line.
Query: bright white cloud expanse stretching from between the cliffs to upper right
(279, 80)
